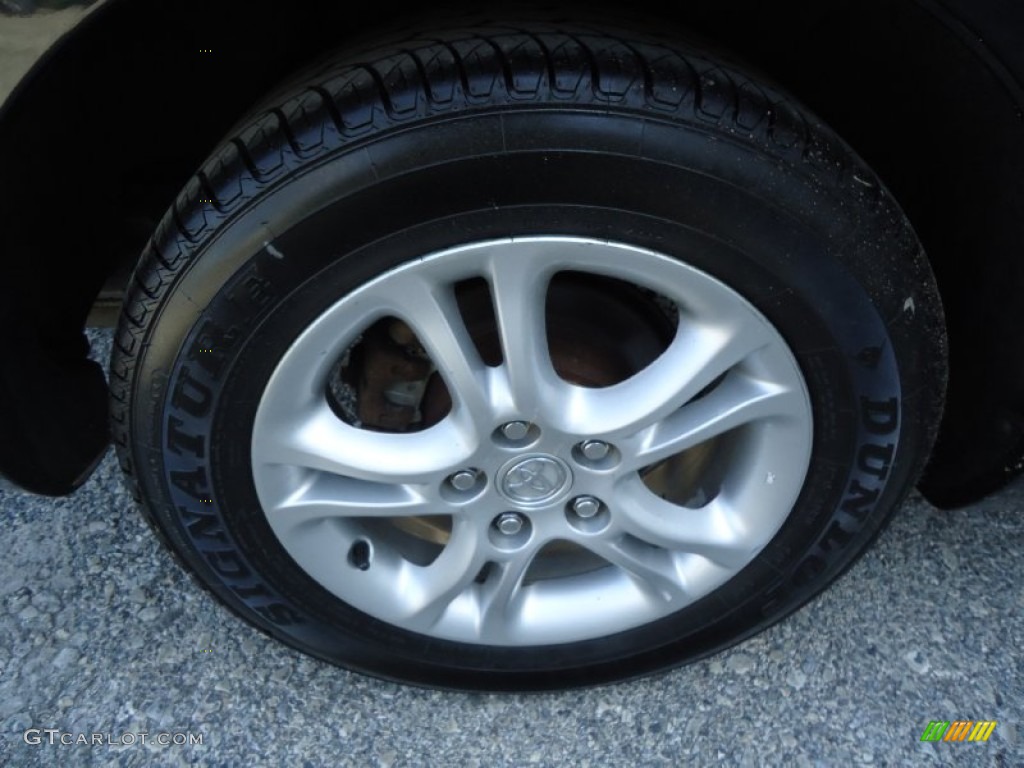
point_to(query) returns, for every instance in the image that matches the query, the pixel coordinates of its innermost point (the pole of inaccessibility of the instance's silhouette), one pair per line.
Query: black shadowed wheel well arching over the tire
(106, 133)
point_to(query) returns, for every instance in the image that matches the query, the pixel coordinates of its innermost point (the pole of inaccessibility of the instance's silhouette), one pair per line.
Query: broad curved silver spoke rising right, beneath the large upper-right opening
(696, 358)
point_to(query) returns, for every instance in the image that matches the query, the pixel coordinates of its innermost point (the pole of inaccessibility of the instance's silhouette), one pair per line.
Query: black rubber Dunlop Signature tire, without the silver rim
(473, 135)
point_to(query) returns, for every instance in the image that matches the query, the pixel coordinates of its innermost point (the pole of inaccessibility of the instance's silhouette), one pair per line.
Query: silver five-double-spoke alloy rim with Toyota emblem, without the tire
(727, 371)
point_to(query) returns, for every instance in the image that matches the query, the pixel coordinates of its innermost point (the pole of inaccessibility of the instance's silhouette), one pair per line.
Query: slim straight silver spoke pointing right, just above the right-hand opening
(738, 401)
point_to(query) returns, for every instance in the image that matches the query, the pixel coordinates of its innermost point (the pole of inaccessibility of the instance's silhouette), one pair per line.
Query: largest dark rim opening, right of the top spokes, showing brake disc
(602, 331)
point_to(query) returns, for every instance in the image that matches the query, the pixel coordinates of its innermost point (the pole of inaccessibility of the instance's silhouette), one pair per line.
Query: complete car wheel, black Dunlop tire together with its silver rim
(524, 360)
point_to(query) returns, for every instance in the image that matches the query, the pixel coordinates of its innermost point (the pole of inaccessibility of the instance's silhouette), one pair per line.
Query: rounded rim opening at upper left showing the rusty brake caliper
(387, 382)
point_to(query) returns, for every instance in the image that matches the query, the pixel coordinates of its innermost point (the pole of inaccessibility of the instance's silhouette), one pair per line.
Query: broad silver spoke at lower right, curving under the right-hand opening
(716, 531)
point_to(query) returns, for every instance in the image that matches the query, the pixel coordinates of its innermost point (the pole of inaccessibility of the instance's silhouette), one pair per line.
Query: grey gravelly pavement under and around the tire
(106, 634)
